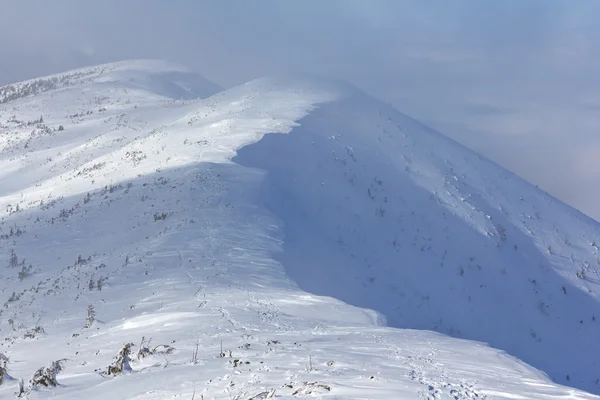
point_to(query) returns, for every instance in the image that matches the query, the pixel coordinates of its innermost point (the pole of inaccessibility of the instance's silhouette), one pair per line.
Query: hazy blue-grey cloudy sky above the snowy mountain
(518, 81)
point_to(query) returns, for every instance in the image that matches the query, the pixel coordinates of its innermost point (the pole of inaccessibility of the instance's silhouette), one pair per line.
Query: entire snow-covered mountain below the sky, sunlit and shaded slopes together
(139, 200)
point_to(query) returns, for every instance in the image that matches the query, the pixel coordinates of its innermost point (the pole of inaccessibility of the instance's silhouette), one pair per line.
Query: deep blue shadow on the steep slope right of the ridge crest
(359, 231)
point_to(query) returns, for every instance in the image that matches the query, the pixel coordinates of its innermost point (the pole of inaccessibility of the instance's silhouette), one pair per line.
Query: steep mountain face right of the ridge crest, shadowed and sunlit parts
(412, 225)
